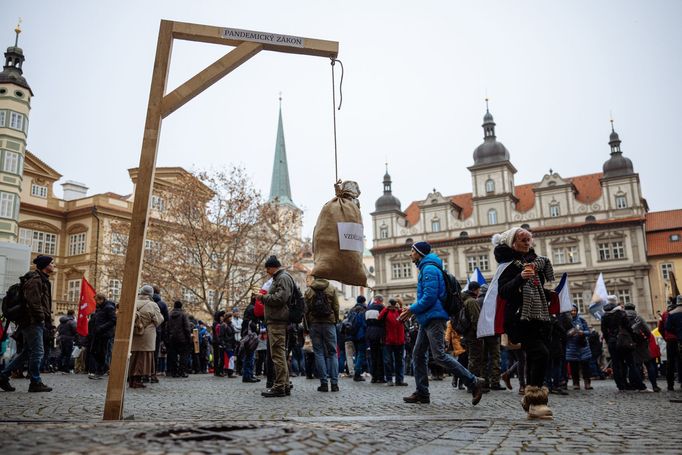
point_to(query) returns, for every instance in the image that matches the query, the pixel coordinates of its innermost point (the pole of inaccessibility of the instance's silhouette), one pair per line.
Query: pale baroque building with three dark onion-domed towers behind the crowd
(587, 224)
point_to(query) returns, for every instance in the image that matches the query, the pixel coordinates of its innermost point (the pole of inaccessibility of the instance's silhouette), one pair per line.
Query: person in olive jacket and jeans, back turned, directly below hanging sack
(322, 314)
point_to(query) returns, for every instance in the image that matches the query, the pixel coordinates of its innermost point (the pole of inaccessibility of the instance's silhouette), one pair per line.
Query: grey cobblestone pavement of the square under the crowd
(204, 414)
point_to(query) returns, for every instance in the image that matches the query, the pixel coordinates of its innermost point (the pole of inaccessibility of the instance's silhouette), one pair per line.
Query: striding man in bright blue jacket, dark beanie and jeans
(432, 319)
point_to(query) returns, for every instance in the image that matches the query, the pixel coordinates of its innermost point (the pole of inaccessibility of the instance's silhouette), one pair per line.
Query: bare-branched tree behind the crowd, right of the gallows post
(211, 238)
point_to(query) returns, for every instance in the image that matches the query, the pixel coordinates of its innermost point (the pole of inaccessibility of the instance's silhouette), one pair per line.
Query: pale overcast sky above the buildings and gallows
(416, 77)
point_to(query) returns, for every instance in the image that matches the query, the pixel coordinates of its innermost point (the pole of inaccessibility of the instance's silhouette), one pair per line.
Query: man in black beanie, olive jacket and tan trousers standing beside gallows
(276, 318)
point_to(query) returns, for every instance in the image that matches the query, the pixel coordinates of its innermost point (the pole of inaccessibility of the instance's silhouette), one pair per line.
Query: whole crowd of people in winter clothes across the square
(383, 339)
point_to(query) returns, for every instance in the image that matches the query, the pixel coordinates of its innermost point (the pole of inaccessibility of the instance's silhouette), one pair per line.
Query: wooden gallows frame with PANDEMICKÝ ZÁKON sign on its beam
(246, 44)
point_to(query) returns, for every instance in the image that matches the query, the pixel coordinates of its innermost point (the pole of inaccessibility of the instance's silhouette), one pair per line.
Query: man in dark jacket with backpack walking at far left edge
(36, 293)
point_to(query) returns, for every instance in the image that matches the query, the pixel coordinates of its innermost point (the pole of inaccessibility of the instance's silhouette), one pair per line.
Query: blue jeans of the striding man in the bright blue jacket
(431, 337)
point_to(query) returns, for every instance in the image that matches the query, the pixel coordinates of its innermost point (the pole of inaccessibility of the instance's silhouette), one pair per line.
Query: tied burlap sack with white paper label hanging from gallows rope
(338, 238)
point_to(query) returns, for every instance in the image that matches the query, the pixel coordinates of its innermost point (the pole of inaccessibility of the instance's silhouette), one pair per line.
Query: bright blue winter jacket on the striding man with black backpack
(430, 290)
